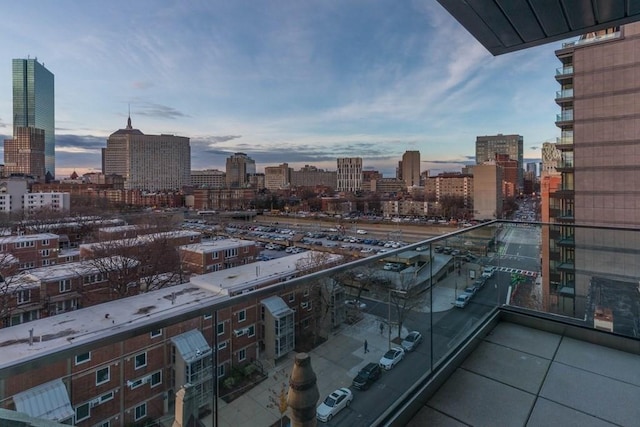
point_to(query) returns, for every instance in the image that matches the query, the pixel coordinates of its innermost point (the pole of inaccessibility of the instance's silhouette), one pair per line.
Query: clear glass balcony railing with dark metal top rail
(344, 315)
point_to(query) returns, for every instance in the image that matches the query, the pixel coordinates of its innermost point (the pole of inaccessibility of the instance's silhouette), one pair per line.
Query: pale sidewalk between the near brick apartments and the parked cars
(335, 362)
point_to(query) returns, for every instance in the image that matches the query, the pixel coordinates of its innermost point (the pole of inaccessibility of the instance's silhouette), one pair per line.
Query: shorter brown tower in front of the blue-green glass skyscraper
(24, 153)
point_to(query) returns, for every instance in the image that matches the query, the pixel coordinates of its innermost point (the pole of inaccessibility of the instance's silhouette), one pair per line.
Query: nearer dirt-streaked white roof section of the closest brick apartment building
(56, 332)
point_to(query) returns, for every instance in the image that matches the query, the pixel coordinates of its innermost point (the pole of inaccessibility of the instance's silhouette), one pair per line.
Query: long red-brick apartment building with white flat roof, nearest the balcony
(138, 378)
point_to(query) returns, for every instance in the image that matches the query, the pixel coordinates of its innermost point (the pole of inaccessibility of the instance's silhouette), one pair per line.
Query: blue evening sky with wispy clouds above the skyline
(302, 82)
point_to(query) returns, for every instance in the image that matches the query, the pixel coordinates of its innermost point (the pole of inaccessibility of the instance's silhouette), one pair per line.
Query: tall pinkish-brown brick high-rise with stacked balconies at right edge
(599, 120)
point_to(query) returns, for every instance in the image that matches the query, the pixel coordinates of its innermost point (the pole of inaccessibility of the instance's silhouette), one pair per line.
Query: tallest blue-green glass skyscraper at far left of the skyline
(33, 104)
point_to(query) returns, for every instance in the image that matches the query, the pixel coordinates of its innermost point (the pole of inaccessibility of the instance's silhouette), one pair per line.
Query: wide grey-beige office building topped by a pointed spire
(148, 162)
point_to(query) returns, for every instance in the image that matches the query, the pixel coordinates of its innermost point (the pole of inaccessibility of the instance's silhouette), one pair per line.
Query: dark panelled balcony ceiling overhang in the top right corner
(503, 26)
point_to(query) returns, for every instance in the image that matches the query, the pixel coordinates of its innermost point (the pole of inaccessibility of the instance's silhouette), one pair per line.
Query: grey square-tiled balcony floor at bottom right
(519, 376)
